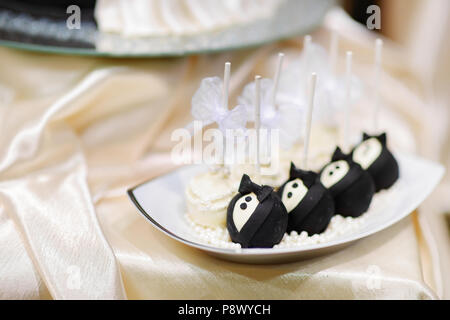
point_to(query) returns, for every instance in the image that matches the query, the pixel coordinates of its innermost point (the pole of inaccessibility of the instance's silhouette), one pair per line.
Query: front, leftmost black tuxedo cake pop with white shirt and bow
(256, 217)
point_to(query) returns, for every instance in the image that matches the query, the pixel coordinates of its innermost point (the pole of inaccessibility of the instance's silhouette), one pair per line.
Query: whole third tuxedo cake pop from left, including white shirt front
(351, 187)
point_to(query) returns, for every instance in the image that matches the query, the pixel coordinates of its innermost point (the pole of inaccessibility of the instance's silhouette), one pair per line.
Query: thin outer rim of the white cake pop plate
(223, 252)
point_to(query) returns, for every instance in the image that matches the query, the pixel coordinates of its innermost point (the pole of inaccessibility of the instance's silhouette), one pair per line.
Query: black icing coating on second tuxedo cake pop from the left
(315, 210)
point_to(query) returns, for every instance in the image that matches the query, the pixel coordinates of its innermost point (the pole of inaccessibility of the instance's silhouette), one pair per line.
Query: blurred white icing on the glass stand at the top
(178, 17)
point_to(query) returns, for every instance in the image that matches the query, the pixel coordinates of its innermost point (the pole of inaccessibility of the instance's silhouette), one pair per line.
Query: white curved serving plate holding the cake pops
(162, 202)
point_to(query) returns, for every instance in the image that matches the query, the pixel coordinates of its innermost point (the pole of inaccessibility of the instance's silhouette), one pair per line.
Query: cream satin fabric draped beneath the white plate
(77, 132)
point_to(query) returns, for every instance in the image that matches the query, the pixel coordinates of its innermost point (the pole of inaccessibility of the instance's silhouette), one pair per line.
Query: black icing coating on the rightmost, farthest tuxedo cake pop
(384, 170)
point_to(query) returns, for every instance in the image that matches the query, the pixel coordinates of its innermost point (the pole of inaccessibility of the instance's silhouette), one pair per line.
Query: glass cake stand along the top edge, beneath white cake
(34, 28)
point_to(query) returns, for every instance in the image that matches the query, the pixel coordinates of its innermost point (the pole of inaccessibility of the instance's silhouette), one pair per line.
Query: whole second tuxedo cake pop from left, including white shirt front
(309, 204)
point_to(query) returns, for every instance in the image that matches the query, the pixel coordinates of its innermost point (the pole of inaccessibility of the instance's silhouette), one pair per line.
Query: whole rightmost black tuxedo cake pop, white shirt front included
(373, 155)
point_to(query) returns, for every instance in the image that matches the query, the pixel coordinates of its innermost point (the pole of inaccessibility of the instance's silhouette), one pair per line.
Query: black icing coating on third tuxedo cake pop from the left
(354, 192)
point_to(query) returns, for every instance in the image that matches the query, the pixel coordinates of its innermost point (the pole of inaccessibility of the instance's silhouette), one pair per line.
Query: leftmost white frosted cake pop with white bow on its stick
(208, 194)
